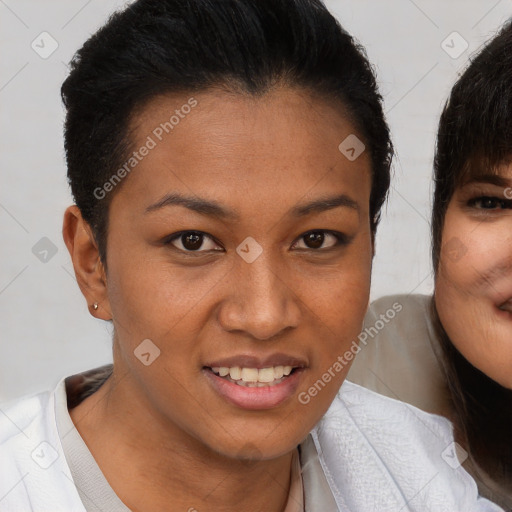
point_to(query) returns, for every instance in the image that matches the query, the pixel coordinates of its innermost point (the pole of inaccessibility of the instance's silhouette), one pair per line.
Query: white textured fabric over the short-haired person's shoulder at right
(382, 454)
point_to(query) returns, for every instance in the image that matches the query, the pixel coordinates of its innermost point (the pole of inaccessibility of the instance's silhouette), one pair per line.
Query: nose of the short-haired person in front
(260, 303)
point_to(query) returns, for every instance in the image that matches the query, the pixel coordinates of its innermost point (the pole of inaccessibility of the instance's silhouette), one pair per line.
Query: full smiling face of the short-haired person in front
(239, 243)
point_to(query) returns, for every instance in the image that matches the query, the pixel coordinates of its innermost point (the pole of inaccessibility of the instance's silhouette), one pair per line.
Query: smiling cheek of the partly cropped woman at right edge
(468, 282)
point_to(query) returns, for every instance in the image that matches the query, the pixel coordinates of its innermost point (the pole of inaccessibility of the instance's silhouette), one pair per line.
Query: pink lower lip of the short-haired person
(255, 398)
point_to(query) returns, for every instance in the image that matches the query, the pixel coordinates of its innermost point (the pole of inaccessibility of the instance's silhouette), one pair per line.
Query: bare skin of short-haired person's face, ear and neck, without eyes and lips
(160, 433)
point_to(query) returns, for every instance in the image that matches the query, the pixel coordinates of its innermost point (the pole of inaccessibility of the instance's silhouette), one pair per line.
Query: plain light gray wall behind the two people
(46, 331)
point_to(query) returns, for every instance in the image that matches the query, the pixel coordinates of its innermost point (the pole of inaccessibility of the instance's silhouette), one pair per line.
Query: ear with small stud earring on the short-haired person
(89, 271)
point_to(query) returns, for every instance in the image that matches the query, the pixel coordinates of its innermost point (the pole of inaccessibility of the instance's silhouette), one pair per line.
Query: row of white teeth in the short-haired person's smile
(254, 377)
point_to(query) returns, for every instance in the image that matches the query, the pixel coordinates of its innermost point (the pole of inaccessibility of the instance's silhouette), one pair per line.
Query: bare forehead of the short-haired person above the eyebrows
(283, 142)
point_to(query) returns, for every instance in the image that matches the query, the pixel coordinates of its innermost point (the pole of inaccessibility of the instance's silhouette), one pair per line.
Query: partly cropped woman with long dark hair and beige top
(467, 326)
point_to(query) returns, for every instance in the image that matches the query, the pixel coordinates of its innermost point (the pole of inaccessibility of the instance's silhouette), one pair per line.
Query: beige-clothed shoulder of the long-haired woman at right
(398, 354)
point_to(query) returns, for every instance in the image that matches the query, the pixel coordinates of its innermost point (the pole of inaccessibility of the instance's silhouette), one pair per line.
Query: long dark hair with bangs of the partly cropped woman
(475, 134)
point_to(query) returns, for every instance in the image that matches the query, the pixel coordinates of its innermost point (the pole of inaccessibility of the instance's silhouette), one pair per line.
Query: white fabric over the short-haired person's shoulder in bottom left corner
(34, 474)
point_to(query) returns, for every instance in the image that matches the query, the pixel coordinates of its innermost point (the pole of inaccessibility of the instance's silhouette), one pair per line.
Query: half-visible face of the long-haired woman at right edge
(474, 282)
